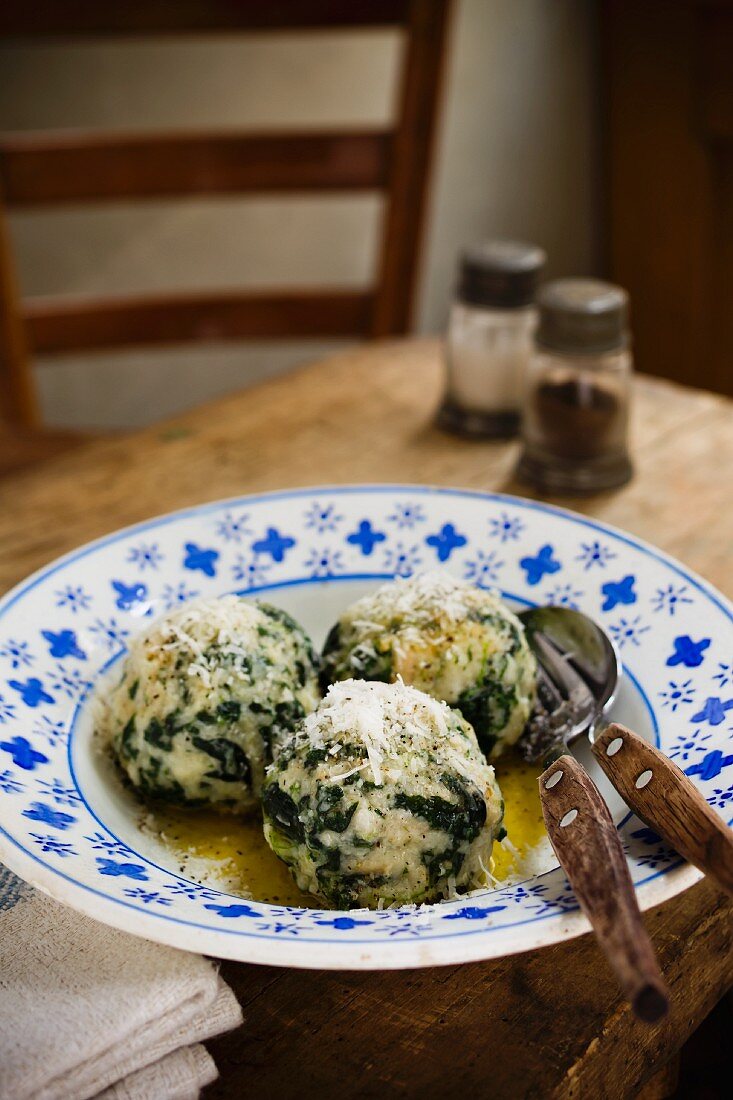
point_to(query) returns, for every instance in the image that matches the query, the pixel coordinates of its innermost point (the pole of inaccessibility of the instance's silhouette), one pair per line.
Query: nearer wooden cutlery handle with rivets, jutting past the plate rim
(589, 850)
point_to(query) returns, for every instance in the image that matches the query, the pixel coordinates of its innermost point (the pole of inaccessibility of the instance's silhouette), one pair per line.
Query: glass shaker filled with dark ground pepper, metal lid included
(578, 388)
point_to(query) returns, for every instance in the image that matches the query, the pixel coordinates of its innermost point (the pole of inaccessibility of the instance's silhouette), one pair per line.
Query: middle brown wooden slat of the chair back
(42, 169)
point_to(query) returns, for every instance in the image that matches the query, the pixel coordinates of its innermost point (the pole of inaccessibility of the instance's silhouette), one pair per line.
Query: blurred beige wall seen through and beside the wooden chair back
(516, 158)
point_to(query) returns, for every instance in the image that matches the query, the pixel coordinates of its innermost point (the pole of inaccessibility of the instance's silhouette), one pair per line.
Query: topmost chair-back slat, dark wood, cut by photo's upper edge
(62, 18)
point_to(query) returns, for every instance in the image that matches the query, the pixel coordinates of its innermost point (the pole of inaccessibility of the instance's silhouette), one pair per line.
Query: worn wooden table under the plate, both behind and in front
(543, 1025)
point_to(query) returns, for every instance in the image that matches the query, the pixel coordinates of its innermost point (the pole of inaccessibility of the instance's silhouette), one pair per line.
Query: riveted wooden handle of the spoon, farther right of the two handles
(666, 800)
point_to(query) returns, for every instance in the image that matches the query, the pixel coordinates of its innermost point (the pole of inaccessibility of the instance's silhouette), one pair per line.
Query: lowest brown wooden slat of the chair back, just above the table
(78, 325)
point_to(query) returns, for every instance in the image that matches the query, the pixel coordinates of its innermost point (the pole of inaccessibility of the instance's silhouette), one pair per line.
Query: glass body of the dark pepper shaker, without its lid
(575, 421)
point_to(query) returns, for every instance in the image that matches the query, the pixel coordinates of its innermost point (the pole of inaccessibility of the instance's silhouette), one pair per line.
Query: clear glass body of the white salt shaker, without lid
(487, 358)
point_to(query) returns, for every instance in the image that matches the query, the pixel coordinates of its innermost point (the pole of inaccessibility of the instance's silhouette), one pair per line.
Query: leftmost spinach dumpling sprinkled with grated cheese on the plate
(209, 696)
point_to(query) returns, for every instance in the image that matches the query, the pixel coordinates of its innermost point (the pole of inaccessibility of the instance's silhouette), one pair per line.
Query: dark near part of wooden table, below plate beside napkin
(542, 1026)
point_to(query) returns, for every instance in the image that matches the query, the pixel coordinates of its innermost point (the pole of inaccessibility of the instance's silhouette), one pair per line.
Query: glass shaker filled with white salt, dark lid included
(490, 338)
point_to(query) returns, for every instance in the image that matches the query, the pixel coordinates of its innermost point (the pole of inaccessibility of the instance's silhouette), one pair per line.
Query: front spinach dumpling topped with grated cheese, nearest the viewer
(382, 798)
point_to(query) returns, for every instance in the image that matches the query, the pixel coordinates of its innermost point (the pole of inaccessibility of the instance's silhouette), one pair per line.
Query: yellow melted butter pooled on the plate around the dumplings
(236, 848)
